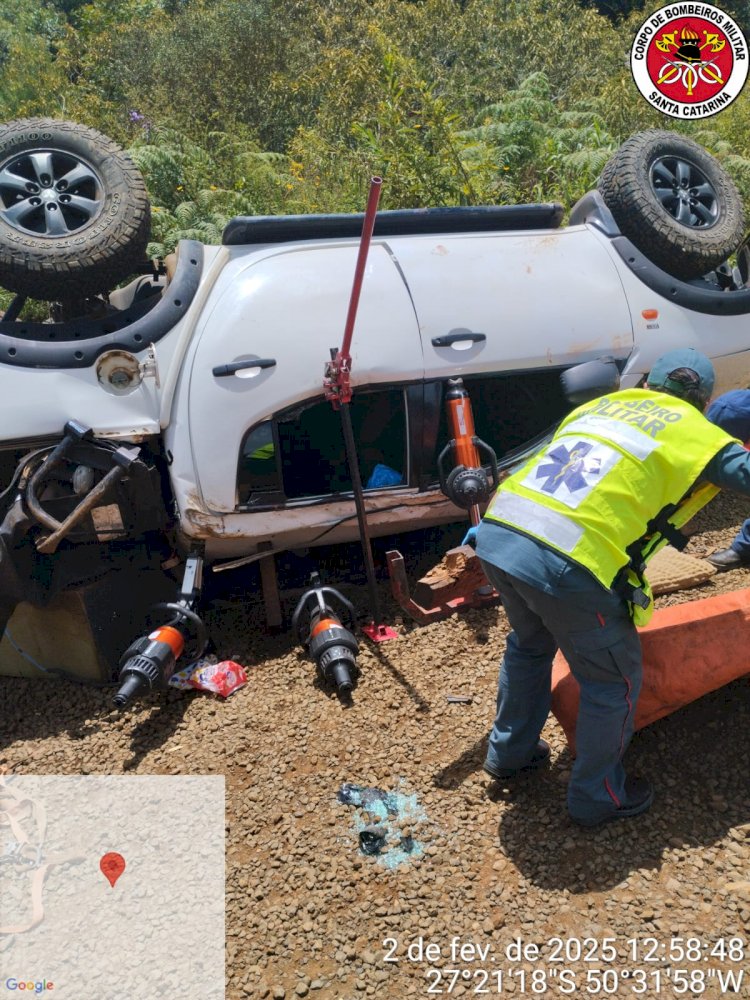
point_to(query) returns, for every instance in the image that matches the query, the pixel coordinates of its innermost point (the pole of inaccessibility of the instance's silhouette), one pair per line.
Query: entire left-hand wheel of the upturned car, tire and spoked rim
(74, 213)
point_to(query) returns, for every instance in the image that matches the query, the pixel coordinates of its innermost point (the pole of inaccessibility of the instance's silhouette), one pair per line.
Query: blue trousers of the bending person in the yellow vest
(598, 639)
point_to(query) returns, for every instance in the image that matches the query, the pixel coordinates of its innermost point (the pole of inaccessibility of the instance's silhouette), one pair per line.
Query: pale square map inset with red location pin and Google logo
(76, 923)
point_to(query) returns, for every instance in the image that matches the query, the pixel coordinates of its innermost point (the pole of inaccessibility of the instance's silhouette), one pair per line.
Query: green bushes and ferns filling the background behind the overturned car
(269, 106)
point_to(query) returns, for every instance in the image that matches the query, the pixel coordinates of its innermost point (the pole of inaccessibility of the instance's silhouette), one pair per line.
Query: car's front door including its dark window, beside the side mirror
(507, 312)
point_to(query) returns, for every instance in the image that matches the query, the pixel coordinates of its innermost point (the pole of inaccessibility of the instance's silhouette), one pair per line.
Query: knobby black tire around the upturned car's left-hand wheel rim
(96, 253)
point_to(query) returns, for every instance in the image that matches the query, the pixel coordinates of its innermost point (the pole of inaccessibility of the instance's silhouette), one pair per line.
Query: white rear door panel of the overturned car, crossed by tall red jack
(286, 308)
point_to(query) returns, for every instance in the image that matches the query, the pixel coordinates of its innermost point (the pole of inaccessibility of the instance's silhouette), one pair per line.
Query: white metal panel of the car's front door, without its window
(515, 301)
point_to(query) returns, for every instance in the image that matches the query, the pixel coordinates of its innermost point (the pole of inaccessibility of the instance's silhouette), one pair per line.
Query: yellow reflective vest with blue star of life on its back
(613, 484)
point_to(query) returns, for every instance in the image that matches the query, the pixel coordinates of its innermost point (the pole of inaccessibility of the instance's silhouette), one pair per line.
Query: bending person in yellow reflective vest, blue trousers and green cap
(565, 541)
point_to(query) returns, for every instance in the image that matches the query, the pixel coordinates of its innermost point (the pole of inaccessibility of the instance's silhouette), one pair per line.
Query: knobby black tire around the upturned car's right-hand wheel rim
(683, 250)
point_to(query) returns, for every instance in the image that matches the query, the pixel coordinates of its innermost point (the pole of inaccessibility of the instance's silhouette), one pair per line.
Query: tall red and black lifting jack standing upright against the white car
(338, 390)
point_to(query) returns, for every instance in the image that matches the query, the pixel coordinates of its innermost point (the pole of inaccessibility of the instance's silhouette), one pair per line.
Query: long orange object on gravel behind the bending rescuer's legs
(688, 650)
